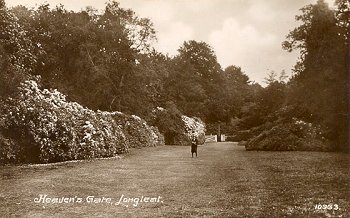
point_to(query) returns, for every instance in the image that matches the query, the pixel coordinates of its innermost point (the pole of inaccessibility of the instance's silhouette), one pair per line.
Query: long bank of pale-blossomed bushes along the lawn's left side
(48, 128)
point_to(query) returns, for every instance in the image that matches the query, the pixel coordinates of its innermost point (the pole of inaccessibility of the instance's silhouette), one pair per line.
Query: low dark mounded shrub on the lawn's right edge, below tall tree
(289, 136)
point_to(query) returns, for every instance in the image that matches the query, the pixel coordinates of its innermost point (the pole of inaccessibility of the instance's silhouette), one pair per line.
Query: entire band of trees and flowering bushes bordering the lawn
(105, 62)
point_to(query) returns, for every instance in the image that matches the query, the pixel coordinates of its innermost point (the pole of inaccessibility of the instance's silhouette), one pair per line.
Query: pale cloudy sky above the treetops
(246, 33)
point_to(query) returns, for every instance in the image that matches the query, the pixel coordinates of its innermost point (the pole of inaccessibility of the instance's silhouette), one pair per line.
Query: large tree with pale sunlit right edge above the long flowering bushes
(90, 56)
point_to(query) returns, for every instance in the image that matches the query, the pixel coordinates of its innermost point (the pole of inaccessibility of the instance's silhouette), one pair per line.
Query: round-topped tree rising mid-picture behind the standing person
(198, 79)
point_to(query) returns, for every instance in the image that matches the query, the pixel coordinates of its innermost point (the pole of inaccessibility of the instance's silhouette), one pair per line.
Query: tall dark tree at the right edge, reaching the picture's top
(320, 80)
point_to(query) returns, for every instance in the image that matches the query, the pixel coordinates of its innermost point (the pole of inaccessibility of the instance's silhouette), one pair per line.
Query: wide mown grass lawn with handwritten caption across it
(224, 181)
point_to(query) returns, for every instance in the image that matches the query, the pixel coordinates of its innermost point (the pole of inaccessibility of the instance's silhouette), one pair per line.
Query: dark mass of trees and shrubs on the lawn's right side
(317, 92)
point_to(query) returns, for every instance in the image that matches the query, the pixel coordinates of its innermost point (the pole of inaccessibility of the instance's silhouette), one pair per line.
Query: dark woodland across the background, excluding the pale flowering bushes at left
(105, 61)
